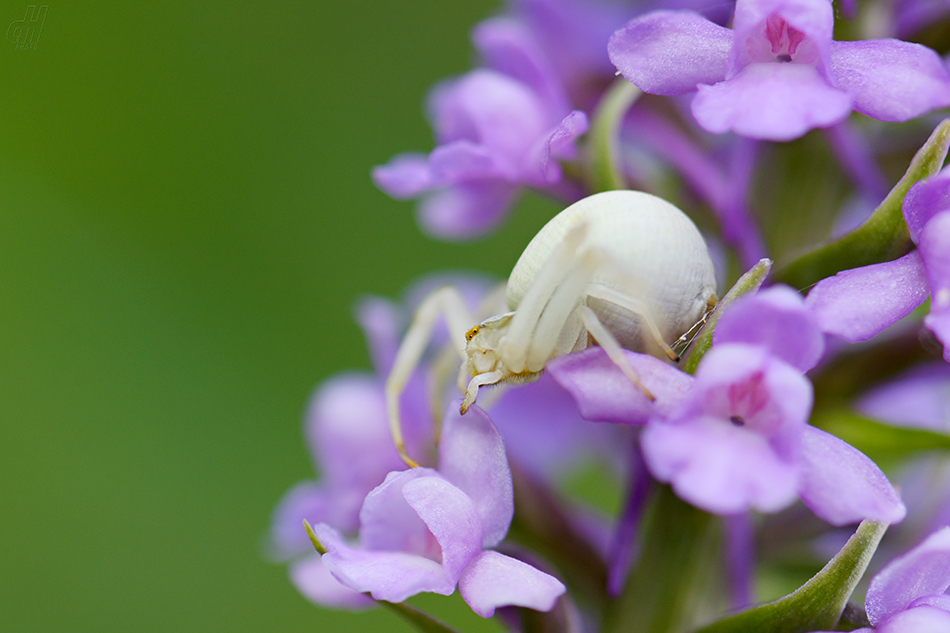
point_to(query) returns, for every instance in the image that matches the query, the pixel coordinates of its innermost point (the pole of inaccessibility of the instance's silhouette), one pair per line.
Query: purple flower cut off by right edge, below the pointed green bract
(860, 303)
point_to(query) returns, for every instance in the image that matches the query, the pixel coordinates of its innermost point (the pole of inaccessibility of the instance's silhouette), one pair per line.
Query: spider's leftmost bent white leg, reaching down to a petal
(445, 301)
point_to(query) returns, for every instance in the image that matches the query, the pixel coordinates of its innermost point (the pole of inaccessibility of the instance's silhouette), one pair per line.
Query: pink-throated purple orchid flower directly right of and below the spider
(736, 437)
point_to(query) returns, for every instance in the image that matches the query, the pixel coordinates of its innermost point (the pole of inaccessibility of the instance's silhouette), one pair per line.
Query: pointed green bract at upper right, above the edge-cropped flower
(883, 236)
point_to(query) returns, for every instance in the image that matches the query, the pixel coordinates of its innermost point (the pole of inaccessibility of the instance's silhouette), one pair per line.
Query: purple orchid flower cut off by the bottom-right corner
(909, 594)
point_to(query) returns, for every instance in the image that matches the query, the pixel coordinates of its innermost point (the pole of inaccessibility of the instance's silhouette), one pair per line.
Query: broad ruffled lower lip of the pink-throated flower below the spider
(718, 467)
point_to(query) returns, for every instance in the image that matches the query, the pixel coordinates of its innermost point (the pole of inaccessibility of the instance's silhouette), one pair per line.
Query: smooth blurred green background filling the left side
(187, 219)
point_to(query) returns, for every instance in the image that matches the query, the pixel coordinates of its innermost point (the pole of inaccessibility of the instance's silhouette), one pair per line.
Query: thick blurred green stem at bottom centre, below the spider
(670, 581)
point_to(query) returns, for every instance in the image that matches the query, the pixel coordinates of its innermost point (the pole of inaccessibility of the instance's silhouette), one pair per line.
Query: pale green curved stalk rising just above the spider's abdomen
(604, 141)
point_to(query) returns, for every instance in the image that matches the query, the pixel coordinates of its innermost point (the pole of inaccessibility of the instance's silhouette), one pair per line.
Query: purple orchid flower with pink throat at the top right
(777, 73)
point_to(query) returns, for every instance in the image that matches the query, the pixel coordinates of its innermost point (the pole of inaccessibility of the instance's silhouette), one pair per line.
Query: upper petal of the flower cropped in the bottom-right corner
(923, 571)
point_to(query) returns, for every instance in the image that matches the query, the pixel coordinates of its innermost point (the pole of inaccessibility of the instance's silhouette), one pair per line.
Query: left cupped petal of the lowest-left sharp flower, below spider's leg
(388, 522)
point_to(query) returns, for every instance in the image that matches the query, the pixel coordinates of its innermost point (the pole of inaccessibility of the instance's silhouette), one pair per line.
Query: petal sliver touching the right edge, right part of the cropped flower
(935, 252)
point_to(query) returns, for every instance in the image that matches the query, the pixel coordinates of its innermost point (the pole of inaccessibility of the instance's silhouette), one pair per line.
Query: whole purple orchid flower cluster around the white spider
(813, 399)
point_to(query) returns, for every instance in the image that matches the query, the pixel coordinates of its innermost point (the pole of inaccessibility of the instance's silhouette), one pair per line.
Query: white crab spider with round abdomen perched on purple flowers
(622, 269)
